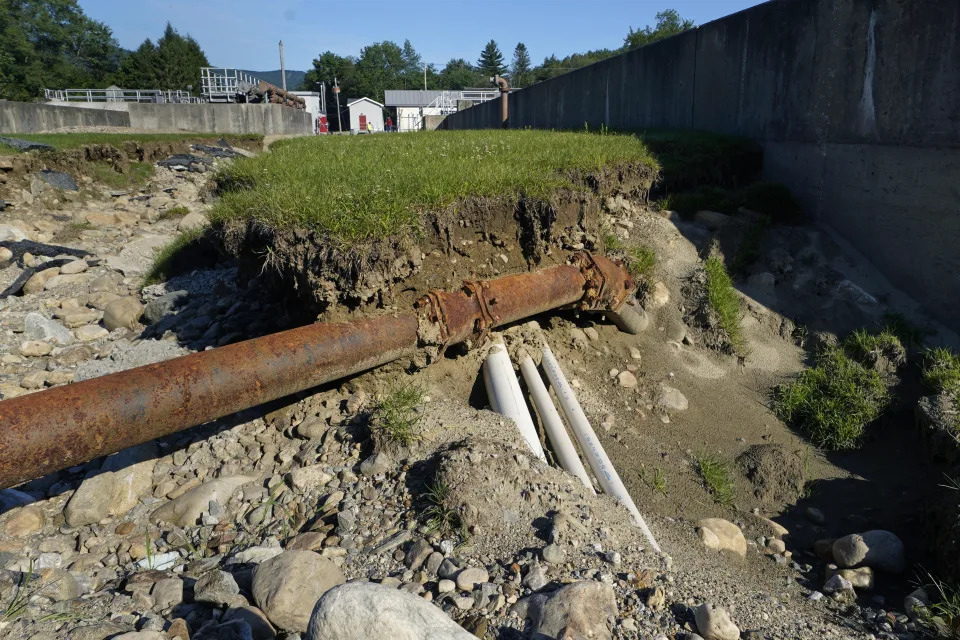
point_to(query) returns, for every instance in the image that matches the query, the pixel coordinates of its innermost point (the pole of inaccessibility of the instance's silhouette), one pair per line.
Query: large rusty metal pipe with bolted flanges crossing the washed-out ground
(72, 424)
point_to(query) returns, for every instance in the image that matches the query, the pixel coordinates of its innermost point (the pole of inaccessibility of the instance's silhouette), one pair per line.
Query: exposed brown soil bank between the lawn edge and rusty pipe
(473, 238)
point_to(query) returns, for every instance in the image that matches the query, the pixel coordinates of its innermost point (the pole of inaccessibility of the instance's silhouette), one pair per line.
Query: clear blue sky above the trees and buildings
(244, 33)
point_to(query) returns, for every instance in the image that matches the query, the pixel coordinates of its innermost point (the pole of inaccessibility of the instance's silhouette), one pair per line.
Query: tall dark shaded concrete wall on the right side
(856, 103)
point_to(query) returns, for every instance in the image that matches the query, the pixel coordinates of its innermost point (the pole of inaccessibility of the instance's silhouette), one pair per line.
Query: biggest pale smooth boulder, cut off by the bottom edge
(362, 610)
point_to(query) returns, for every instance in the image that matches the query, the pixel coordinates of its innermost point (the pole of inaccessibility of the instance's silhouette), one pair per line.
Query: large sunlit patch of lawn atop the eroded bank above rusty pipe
(361, 187)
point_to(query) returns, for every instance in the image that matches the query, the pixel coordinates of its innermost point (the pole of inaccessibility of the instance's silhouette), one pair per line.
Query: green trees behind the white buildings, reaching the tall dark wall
(387, 65)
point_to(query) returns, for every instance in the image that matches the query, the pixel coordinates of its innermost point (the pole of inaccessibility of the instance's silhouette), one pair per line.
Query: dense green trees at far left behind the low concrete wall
(53, 44)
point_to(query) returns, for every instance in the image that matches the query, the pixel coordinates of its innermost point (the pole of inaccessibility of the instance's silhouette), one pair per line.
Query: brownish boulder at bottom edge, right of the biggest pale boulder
(578, 610)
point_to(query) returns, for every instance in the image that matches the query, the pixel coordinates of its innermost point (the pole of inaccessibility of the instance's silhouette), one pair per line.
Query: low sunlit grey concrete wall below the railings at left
(266, 119)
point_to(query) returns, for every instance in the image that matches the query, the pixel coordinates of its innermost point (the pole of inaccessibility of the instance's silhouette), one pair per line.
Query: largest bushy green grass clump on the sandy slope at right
(834, 401)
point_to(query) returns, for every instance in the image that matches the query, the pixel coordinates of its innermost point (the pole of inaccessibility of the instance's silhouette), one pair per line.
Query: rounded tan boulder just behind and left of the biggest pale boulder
(286, 587)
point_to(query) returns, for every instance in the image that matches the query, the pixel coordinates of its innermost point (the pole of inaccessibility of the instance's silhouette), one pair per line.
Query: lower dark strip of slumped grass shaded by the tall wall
(771, 199)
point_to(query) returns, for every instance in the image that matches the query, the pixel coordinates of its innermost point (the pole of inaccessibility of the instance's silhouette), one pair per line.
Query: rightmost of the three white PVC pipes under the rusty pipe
(590, 444)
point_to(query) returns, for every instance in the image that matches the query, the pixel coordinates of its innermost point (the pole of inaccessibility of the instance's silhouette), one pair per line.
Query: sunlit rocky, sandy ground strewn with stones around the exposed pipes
(236, 528)
